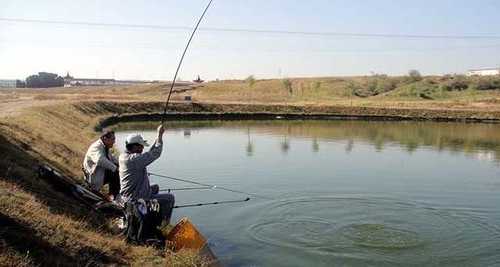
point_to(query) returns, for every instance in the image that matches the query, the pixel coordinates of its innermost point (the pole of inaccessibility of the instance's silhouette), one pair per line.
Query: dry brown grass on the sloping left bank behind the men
(41, 225)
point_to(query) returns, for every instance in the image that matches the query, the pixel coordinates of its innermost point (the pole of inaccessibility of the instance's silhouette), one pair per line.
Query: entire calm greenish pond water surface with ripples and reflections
(338, 193)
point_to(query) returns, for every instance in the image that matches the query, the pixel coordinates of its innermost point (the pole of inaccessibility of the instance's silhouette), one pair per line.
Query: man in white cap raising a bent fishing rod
(134, 178)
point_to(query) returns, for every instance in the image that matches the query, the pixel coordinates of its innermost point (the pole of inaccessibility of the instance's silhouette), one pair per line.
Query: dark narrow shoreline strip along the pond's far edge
(301, 113)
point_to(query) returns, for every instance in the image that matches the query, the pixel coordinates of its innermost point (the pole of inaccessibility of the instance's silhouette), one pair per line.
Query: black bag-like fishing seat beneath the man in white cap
(142, 220)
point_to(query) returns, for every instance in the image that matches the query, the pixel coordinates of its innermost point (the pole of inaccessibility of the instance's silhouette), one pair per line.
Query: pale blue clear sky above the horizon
(146, 53)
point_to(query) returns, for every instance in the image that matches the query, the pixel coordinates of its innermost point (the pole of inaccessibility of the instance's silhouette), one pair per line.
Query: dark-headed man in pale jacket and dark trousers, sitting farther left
(100, 166)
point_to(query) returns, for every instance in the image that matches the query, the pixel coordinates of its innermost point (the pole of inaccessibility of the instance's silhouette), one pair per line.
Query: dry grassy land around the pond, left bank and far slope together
(41, 226)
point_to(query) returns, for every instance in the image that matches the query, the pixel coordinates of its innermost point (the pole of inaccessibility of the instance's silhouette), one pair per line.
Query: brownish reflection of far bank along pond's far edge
(482, 141)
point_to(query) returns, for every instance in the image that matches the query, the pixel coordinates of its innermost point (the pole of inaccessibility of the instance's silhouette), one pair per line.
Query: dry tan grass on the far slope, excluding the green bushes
(336, 91)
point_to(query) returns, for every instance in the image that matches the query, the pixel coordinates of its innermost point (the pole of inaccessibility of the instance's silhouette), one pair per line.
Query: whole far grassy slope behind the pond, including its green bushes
(443, 92)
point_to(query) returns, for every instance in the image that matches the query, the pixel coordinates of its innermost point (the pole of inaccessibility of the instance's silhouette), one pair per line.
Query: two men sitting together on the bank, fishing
(130, 170)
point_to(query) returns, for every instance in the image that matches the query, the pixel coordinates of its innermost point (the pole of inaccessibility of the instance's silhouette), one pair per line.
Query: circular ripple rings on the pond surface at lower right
(371, 229)
